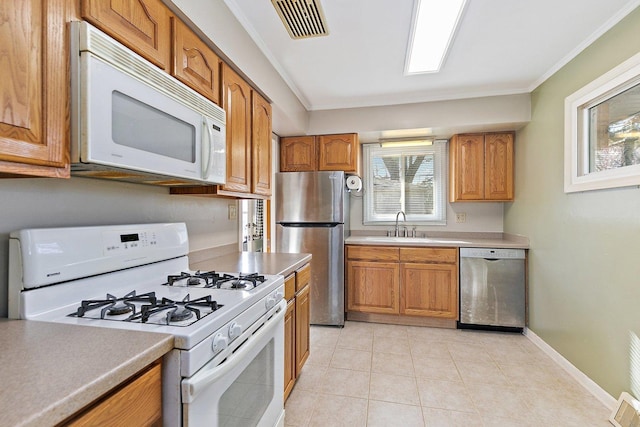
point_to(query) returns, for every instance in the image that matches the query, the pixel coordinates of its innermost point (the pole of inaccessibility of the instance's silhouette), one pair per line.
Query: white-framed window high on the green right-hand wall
(602, 131)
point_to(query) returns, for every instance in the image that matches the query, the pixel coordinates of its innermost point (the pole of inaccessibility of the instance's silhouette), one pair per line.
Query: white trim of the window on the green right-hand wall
(576, 133)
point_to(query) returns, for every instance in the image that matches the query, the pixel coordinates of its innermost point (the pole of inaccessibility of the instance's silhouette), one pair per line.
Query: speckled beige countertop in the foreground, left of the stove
(51, 371)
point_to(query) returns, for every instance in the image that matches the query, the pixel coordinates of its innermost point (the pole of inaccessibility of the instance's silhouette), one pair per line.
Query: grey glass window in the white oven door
(247, 399)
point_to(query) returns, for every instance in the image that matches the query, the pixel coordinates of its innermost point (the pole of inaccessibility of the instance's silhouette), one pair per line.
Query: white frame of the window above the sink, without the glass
(440, 150)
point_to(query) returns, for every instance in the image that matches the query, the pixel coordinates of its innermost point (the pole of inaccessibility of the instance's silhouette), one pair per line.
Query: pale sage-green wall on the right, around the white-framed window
(584, 277)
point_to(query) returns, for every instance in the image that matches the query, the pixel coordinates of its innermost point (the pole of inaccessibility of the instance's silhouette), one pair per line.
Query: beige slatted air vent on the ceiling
(302, 18)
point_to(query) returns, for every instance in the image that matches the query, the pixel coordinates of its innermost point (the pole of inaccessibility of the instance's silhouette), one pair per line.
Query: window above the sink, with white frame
(404, 178)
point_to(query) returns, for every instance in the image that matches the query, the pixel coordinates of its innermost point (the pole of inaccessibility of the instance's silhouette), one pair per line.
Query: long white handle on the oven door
(191, 387)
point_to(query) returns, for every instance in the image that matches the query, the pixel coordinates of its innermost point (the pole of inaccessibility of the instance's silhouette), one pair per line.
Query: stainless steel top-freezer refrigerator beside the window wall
(312, 216)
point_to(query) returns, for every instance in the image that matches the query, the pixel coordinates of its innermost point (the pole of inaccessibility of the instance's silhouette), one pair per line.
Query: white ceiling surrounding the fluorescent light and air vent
(501, 47)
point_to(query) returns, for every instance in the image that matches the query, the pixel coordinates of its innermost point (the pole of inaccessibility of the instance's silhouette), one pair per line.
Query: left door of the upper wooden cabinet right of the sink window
(467, 167)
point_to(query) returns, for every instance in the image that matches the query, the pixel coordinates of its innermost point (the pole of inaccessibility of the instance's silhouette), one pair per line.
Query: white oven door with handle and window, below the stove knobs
(246, 388)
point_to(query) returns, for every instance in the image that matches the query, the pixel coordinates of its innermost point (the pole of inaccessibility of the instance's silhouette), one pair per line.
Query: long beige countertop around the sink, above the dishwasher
(461, 240)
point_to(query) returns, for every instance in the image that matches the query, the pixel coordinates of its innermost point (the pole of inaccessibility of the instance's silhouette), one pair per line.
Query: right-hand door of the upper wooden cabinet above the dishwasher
(499, 166)
